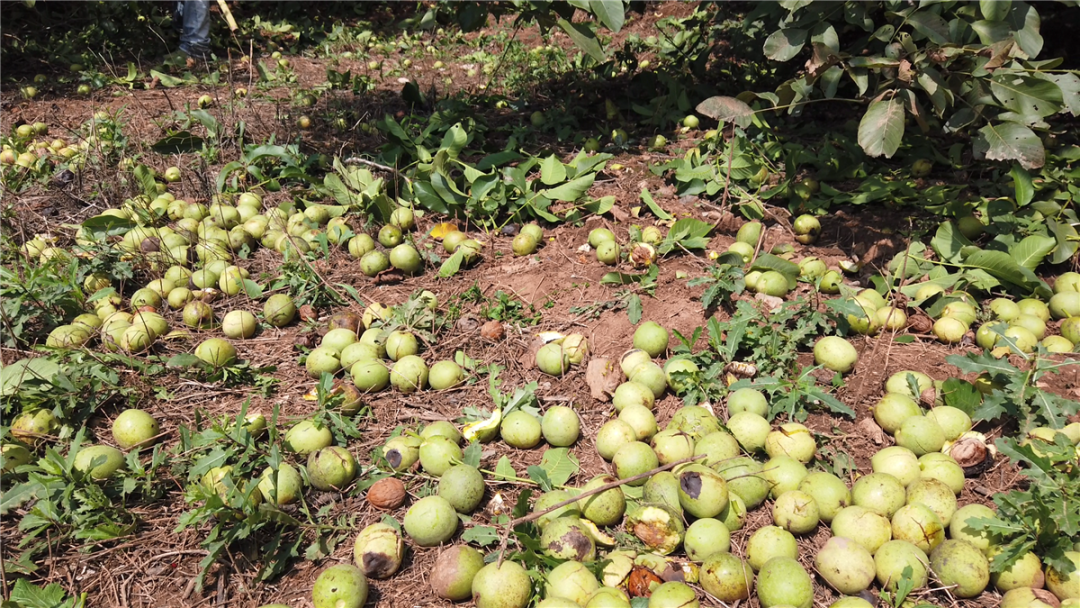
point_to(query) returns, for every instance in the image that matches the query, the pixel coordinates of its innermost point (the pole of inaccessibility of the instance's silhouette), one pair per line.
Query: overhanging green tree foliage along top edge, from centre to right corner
(974, 69)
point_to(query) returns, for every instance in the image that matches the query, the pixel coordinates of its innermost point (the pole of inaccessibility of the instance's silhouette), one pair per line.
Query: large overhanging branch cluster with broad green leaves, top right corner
(950, 66)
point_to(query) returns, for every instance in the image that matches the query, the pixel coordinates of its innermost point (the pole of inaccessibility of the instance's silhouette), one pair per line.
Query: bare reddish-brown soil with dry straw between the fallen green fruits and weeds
(158, 566)
